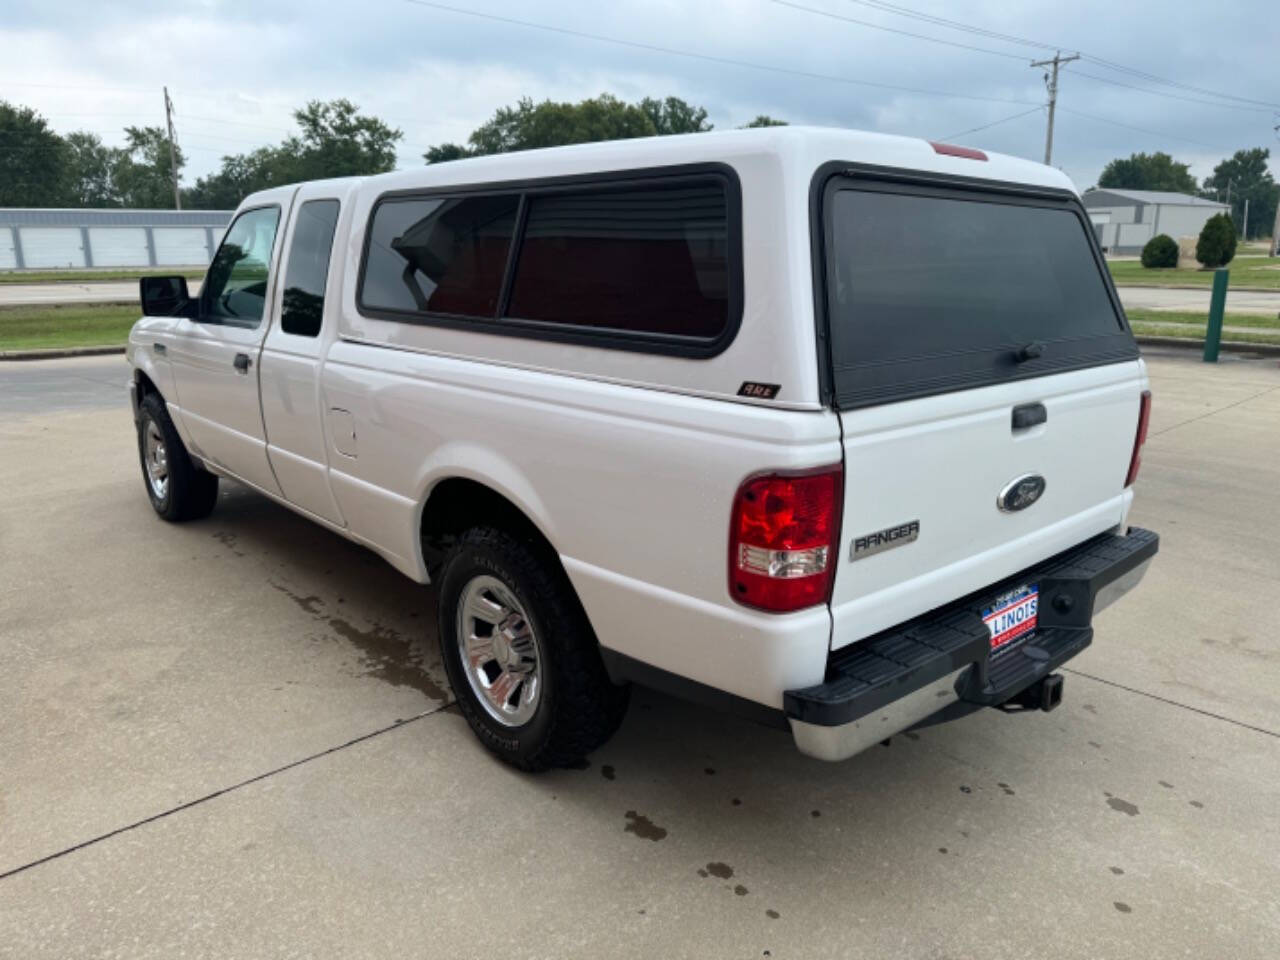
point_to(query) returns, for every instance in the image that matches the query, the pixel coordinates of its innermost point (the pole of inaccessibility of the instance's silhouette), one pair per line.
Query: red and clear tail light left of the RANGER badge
(784, 538)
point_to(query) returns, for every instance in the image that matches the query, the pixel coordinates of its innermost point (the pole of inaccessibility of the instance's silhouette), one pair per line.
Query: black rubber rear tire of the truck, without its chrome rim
(579, 707)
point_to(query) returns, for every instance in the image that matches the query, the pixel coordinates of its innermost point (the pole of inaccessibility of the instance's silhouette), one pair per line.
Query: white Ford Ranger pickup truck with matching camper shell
(835, 429)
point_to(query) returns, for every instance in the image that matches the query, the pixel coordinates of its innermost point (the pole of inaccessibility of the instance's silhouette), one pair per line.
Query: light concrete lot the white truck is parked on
(231, 739)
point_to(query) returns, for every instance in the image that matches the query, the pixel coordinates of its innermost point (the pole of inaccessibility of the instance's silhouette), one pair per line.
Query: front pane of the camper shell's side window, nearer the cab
(440, 255)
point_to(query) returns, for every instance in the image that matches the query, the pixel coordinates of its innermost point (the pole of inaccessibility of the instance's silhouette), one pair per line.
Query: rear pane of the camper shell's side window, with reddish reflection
(643, 260)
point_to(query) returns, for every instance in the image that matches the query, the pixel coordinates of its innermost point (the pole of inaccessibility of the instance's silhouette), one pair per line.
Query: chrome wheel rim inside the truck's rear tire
(499, 651)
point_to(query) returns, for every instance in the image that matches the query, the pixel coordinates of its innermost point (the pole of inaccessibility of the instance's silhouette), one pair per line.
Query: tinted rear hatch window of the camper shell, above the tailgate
(932, 291)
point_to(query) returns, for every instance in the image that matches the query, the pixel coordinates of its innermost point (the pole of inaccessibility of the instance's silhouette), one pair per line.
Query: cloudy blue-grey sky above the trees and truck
(1194, 81)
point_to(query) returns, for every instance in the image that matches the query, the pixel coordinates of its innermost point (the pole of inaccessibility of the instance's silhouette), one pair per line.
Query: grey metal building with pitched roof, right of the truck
(1126, 220)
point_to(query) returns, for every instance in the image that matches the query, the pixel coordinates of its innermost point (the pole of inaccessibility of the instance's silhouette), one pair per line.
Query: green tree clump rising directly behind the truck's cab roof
(333, 140)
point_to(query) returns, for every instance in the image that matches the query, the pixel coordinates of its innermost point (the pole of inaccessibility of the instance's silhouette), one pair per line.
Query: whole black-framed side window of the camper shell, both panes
(638, 263)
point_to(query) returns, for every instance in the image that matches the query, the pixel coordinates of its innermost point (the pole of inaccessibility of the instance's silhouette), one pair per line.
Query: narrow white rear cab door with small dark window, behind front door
(290, 374)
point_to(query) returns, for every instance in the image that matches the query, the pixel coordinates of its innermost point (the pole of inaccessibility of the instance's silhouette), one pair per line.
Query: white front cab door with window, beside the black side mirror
(216, 355)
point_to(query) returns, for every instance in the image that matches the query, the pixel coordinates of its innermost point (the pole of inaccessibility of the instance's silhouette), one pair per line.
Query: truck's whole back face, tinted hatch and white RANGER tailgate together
(988, 385)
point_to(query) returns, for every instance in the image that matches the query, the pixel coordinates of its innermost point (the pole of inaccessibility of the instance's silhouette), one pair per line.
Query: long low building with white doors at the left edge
(80, 239)
